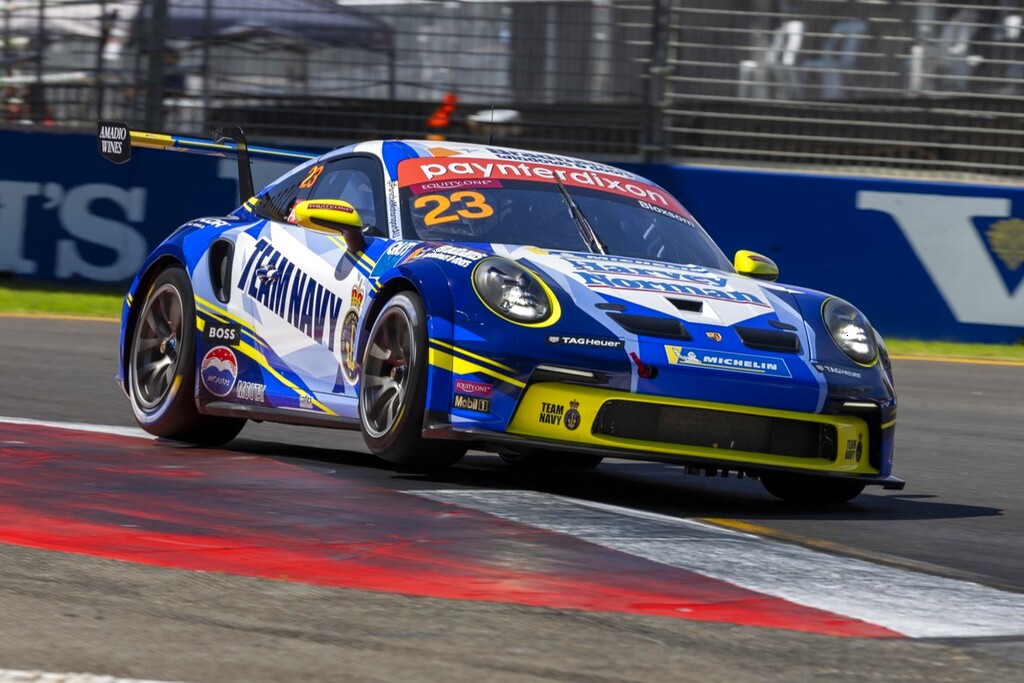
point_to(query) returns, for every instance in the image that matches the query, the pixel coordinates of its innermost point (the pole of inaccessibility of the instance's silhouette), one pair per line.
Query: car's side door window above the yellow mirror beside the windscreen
(359, 181)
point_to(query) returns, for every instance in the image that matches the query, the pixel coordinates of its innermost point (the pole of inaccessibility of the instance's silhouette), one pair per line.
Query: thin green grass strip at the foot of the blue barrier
(34, 298)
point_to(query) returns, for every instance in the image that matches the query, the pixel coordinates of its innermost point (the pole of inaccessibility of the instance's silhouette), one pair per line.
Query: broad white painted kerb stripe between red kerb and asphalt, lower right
(915, 605)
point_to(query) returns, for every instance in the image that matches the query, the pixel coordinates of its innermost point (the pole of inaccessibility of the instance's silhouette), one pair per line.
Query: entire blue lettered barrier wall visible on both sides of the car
(925, 261)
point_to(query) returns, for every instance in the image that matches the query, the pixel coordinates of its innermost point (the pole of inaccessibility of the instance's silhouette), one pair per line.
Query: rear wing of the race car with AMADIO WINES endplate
(115, 143)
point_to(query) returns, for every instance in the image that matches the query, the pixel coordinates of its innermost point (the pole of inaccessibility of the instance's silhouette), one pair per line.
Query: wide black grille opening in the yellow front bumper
(716, 430)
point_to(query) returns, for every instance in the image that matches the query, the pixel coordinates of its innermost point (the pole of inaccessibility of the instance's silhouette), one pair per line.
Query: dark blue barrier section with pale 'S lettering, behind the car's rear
(68, 216)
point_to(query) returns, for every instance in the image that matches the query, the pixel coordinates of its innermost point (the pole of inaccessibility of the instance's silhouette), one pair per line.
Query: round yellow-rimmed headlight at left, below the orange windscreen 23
(511, 291)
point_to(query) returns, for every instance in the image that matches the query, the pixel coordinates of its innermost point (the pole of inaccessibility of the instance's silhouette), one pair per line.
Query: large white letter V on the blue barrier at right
(942, 232)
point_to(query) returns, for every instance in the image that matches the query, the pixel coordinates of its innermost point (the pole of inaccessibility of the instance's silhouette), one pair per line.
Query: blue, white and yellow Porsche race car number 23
(443, 296)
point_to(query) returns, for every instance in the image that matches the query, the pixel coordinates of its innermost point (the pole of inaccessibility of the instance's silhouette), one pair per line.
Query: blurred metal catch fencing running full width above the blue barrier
(869, 86)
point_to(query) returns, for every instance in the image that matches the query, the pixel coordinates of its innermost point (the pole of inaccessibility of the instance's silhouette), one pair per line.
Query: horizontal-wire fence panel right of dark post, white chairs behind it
(926, 87)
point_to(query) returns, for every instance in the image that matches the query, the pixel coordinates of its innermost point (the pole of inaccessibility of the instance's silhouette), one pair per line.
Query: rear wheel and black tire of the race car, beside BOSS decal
(162, 367)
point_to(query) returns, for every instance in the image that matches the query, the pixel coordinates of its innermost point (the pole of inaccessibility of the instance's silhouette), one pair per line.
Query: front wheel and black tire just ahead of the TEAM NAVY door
(394, 390)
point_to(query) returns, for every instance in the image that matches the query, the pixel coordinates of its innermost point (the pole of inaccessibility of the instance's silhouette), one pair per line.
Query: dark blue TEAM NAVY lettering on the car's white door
(292, 295)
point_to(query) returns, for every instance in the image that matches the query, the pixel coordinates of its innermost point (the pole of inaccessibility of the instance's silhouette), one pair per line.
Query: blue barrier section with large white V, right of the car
(922, 260)
